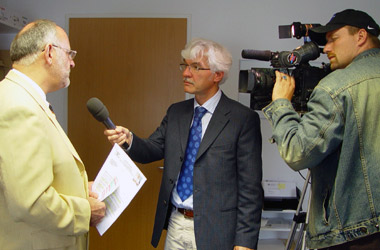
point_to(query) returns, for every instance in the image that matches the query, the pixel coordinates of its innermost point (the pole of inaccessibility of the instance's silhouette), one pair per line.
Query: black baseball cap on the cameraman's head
(350, 17)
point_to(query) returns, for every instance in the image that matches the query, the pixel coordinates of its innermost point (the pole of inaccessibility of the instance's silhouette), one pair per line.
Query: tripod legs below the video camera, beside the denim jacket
(300, 218)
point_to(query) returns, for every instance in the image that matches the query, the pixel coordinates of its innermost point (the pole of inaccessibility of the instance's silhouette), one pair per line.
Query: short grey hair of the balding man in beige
(31, 40)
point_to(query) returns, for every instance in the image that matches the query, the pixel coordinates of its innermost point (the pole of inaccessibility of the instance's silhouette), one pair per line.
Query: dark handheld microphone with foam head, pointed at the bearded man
(100, 113)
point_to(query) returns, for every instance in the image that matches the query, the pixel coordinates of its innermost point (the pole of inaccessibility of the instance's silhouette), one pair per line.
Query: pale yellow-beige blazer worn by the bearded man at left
(43, 183)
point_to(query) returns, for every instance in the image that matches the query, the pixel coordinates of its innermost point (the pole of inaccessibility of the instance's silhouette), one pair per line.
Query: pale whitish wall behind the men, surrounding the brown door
(237, 24)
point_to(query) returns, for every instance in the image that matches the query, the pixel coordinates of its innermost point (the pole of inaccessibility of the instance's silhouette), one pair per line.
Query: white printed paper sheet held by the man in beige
(117, 183)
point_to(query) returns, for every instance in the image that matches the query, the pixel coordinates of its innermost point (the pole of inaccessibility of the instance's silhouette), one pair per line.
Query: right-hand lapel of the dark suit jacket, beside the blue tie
(217, 123)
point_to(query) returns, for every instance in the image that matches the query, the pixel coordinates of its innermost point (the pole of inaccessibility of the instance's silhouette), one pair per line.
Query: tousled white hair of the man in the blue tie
(219, 58)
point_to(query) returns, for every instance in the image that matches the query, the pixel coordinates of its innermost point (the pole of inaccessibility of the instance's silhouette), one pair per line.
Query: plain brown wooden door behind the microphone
(131, 65)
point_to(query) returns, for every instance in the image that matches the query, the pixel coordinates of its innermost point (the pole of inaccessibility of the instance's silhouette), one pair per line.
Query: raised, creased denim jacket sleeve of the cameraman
(303, 143)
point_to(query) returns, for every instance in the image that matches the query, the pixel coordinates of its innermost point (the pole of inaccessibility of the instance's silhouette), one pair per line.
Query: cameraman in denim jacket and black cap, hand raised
(338, 139)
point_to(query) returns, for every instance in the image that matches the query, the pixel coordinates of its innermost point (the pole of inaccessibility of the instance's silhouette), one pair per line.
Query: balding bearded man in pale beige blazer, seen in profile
(45, 202)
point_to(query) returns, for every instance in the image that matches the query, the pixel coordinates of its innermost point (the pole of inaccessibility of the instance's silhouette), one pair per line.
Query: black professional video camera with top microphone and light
(260, 81)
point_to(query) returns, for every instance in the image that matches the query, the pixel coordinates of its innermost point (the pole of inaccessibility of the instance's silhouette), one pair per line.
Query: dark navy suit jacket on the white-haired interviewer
(228, 195)
